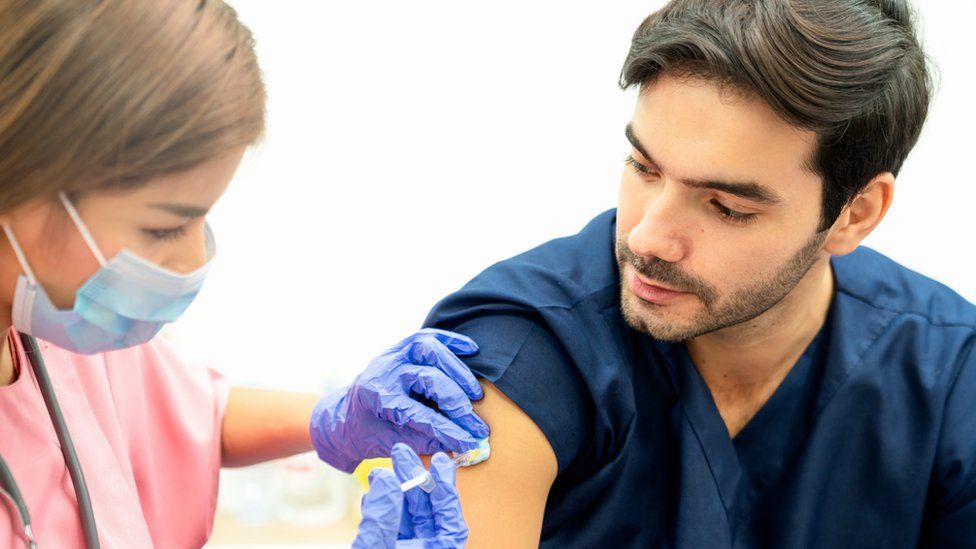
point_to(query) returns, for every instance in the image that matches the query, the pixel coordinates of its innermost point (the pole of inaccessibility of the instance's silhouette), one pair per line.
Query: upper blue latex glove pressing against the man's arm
(379, 409)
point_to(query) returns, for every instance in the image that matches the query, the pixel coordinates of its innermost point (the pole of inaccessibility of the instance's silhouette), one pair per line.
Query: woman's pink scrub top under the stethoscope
(146, 426)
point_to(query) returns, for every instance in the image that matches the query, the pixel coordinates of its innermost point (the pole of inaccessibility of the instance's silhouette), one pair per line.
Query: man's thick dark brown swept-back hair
(850, 70)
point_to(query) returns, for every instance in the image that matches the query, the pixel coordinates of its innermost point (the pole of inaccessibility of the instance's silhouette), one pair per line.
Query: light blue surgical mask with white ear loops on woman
(124, 304)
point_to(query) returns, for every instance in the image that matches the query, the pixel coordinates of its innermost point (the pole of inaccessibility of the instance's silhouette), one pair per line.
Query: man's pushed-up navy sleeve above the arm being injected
(527, 363)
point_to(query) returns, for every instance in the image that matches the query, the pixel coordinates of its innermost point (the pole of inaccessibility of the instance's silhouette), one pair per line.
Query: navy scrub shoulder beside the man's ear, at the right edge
(886, 285)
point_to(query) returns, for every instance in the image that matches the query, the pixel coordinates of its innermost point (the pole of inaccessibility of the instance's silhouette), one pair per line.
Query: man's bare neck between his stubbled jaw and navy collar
(750, 360)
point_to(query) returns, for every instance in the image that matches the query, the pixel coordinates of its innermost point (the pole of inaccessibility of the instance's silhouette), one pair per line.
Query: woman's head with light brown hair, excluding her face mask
(123, 105)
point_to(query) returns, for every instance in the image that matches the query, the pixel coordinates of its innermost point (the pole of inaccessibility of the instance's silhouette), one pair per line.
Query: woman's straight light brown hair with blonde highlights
(99, 94)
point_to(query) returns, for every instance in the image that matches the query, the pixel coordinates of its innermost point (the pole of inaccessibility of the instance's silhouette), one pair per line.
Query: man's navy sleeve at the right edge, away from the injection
(952, 499)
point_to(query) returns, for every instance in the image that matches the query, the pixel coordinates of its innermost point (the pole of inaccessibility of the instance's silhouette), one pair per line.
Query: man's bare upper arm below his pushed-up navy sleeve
(504, 498)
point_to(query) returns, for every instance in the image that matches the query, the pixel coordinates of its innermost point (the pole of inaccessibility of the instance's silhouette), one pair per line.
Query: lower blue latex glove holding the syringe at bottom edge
(424, 520)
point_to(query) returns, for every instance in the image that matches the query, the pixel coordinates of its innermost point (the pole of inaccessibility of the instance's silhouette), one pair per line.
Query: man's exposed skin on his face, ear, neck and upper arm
(759, 291)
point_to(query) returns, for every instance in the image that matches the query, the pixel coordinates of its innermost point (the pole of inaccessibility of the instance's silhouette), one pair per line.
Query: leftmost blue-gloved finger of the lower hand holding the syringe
(382, 507)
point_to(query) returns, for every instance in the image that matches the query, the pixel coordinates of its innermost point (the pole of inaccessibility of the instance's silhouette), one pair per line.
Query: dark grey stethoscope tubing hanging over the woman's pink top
(8, 486)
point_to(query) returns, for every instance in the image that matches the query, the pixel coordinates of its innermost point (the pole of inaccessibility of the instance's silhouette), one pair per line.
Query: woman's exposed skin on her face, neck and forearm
(259, 424)
